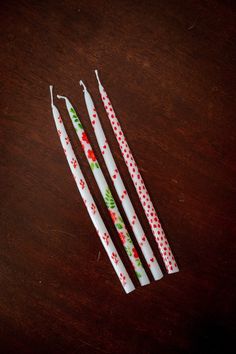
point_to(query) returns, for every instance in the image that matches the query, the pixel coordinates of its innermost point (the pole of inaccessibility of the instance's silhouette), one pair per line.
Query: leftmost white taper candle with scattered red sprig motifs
(89, 202)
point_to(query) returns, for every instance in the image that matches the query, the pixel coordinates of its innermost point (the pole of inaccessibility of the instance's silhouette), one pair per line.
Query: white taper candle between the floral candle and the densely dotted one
(120, 188)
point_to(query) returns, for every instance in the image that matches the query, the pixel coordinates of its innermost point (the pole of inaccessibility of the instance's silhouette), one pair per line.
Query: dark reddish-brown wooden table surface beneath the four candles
(169, 70)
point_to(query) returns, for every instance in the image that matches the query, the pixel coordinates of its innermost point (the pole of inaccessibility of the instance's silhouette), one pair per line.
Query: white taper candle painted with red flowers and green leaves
(107, 195)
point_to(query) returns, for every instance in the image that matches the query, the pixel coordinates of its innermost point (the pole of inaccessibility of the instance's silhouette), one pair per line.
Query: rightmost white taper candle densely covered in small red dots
(141, 189)
